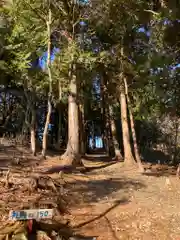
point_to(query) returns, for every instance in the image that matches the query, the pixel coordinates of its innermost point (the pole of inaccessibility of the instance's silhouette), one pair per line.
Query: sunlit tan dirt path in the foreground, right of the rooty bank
(115, 203)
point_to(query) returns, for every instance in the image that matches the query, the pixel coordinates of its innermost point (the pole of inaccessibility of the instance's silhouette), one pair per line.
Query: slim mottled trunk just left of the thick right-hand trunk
(117, 151)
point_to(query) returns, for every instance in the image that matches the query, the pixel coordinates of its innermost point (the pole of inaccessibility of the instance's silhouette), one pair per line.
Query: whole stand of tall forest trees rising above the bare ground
(115, 75)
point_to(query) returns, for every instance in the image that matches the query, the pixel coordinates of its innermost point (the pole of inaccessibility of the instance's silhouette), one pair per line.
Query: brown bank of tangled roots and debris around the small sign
(18, 230)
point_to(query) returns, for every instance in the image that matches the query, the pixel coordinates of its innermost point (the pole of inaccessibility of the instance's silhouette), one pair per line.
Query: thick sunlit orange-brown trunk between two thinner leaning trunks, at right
(128, 156)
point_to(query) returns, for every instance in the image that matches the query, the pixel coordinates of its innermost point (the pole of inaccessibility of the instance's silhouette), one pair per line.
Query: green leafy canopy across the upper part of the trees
(146, 61)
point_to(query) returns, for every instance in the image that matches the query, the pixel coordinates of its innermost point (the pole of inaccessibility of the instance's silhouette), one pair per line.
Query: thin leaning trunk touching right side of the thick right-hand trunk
(136, 150)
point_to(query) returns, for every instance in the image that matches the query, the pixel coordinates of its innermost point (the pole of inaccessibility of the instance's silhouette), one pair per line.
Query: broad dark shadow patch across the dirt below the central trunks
(95, 190)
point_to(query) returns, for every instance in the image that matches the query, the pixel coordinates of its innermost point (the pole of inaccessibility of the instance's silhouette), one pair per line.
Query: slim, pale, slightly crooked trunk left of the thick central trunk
(45, 133)
